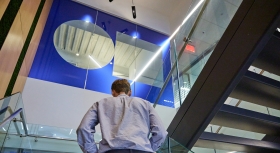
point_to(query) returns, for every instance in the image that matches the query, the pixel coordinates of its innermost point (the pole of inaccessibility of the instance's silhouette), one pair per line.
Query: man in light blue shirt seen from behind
(126, 123)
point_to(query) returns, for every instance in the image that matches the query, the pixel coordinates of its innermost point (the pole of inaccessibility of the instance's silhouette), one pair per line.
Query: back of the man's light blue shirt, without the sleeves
(124, 123)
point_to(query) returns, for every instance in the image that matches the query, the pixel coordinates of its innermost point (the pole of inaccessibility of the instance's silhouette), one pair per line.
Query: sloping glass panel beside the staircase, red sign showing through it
(202, 40)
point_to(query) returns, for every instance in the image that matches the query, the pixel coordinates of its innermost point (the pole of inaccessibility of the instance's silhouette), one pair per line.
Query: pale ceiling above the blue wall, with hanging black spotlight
(160, 15)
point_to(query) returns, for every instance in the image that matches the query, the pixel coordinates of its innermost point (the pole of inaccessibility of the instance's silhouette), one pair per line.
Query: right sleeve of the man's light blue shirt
(157, 129)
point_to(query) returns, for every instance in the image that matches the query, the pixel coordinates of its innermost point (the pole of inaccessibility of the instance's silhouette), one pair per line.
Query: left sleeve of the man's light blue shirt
(86, 129)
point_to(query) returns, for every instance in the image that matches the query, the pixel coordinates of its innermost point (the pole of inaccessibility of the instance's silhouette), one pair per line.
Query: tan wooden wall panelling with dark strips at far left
(13, 44)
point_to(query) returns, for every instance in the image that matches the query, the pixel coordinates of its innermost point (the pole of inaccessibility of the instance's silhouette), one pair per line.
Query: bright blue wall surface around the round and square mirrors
(48, 65)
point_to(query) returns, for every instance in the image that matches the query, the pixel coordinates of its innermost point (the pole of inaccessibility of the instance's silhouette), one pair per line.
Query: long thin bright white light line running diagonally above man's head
(166, 43)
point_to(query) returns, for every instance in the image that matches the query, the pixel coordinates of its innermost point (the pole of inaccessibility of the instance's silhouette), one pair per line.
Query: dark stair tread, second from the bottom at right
(243, 119)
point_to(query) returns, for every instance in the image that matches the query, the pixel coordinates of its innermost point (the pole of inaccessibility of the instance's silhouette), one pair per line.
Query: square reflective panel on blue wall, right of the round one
(131, 55)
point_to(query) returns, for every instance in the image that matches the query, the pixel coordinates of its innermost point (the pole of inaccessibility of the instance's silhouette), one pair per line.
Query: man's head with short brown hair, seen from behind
(120, 86)
